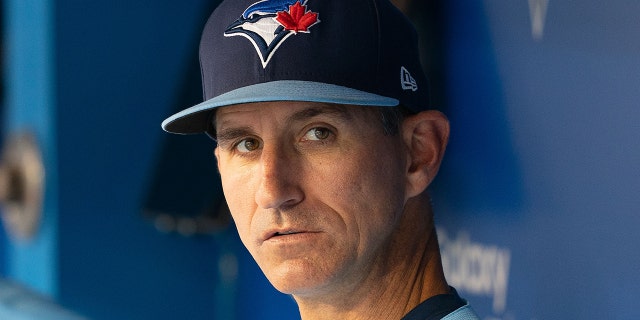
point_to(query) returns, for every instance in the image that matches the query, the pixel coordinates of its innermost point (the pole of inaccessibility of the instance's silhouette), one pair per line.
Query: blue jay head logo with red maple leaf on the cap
(268, 23)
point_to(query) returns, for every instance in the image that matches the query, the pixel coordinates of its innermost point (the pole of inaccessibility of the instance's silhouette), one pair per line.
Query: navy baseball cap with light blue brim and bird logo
(357, 52)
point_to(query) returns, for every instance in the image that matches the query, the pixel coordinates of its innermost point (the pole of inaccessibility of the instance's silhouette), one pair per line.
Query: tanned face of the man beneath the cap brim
(315, 190)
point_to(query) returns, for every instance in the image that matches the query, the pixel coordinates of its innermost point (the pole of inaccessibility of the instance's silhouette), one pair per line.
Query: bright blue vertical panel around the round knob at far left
(29, 108)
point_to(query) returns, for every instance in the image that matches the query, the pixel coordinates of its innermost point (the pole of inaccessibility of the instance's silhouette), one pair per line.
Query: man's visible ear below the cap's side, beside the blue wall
(425, 135)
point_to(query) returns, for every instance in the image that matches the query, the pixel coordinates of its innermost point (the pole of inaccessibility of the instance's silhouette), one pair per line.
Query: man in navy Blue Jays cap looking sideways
(325, 150)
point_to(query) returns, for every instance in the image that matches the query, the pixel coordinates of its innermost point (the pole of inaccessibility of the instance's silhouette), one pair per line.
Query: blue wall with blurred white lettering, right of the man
(537, 201)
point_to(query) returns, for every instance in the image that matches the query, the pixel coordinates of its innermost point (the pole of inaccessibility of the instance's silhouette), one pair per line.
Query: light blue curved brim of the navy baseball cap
(194, 119)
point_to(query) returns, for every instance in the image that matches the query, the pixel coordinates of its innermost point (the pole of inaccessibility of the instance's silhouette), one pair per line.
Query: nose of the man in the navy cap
(279, 179)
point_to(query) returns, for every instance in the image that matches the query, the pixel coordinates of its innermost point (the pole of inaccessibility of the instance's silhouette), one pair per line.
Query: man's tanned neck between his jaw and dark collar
(411, 273)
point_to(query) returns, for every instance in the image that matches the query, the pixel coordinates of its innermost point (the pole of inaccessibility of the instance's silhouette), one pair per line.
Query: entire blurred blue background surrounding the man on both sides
(105, 216)
